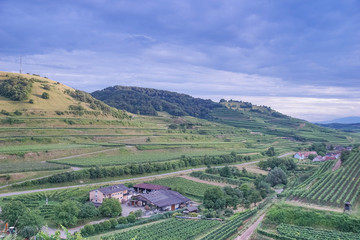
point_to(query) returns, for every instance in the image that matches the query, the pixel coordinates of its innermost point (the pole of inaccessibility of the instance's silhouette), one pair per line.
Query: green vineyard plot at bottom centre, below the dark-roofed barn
(169, 230)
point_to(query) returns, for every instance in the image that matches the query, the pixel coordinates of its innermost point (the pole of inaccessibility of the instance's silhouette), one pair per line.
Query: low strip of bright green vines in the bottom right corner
(304, 233)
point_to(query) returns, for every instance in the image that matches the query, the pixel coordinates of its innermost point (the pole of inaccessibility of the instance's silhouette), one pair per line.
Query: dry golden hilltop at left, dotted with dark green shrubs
(32, 95)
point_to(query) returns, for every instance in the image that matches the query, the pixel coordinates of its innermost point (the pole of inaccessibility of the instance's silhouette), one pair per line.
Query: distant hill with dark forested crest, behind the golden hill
(257, 119)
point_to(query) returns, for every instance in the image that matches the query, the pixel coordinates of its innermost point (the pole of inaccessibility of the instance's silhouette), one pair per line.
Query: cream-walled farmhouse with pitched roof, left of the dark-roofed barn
(119, 192)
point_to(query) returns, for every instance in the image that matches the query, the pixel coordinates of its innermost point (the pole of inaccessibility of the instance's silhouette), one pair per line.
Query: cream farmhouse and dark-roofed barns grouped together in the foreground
(146, 195)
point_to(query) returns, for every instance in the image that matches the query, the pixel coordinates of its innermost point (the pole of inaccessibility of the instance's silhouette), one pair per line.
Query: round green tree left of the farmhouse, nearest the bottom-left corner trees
(66, 213)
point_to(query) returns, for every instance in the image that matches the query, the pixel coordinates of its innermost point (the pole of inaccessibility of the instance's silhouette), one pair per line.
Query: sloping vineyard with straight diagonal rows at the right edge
(332, 187)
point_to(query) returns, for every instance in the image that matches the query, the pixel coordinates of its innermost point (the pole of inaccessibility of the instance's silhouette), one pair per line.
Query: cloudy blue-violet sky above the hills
(299, 57)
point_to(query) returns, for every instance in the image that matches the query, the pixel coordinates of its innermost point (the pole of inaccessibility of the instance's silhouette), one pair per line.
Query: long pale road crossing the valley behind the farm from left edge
(119, 181)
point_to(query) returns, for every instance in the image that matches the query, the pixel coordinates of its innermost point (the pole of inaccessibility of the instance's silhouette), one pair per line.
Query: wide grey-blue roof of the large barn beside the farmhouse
(162, 198)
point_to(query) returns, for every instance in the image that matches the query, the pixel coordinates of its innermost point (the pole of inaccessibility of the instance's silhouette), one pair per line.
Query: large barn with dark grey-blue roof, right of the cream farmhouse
(164, 200)
